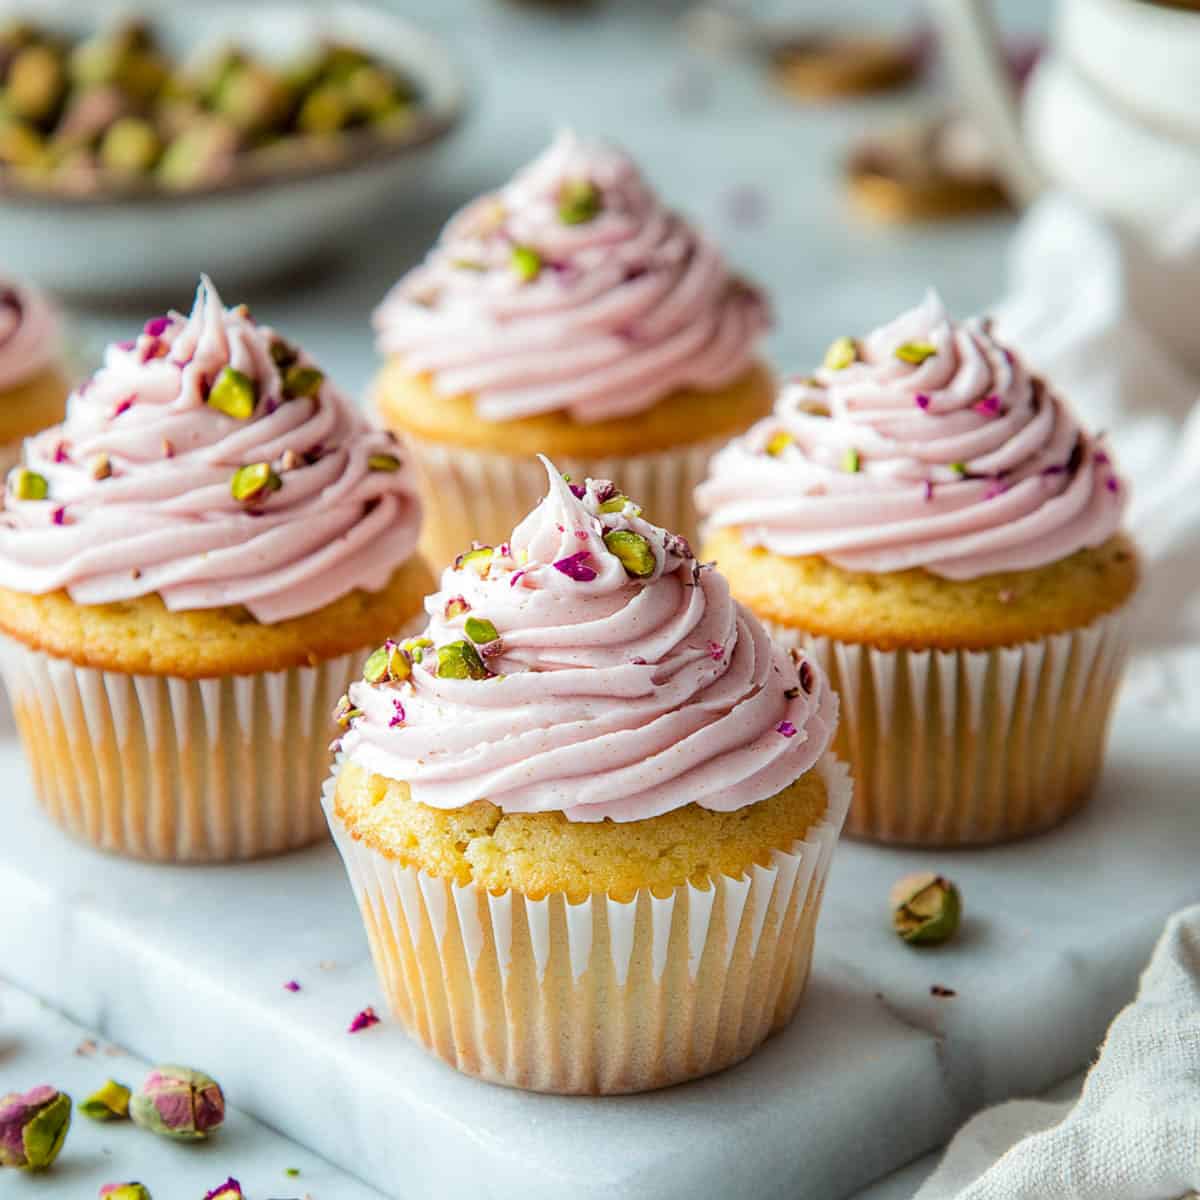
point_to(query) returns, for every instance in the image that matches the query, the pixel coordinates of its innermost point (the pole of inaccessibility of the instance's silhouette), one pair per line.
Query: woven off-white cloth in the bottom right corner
(1135, 1133)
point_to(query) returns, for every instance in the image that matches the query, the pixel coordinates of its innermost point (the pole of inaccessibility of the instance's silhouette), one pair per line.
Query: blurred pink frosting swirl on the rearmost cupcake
(572, 290)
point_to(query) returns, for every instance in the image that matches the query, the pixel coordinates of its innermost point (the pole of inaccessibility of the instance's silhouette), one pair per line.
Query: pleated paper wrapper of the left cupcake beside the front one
(182, 771)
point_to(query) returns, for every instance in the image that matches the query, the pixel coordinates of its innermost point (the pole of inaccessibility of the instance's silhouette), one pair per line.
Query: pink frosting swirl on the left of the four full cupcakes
(146, 490)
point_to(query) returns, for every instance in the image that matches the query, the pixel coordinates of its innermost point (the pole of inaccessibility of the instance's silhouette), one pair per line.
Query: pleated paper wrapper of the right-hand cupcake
(971, 747)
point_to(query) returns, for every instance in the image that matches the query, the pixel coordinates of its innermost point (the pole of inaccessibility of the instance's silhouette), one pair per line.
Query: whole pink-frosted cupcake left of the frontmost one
(190, 568)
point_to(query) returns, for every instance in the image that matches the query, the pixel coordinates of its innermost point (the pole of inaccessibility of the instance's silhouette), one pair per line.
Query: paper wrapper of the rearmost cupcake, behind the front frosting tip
(472, 496)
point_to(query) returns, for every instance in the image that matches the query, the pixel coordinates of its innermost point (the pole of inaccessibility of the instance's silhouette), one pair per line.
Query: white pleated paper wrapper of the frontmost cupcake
(602, 997)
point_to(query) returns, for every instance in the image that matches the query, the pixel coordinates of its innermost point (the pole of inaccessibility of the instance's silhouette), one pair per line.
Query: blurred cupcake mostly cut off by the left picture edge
(33, 383)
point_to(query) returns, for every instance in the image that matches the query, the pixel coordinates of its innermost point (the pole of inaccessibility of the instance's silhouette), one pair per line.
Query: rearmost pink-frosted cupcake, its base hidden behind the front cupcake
(568, 314)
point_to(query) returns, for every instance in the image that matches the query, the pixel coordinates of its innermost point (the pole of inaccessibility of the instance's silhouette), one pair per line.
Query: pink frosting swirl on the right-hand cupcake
(926, 445)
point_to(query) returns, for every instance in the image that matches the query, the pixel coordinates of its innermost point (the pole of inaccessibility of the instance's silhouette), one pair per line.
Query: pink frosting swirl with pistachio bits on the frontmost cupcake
(611, 677)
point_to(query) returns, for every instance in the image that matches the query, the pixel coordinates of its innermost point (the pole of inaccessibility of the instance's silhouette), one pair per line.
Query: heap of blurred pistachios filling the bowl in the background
(117, 111)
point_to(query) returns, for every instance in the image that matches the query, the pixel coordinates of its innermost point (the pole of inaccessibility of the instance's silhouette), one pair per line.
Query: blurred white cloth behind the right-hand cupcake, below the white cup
(1071, 315)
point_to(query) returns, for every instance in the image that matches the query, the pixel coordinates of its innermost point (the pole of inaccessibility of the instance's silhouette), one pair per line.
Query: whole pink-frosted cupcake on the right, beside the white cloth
(929, 520)
